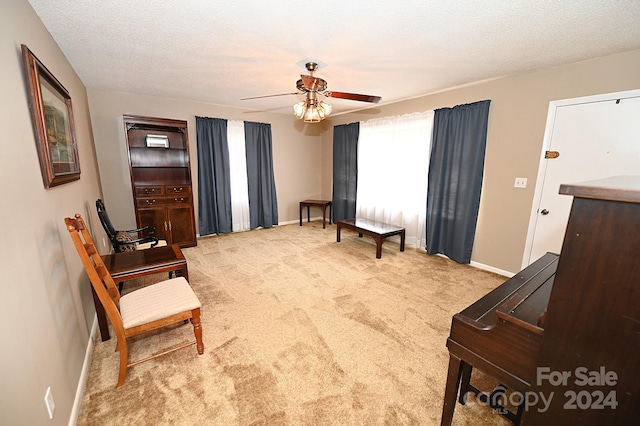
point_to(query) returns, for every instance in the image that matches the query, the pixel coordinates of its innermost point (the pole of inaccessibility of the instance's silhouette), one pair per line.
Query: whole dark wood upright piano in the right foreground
(576, 314)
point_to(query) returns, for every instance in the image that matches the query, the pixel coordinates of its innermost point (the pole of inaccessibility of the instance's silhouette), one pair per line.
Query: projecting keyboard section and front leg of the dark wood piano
(500, 334)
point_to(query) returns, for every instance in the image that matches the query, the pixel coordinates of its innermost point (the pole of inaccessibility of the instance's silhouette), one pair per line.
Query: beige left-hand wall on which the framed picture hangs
(47, 308)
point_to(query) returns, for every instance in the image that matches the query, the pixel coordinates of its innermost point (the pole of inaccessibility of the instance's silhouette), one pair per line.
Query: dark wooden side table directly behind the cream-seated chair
(133, 264)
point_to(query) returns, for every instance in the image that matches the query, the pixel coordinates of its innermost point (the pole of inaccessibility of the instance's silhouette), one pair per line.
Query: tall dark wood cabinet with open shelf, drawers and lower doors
(161, 177)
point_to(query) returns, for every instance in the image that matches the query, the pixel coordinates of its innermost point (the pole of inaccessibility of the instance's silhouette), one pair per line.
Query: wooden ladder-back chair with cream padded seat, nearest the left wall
(149, 308)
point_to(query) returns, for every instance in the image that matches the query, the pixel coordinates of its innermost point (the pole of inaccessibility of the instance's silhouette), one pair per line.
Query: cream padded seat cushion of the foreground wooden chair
(157, 301)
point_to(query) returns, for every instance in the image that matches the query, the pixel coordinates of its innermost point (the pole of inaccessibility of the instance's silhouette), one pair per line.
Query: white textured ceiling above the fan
(219, 52)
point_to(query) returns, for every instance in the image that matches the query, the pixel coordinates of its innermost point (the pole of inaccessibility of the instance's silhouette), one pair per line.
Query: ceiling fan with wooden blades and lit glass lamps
(311, 110)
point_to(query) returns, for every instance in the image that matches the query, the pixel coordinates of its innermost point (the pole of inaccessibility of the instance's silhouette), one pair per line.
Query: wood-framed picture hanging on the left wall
(53, 125)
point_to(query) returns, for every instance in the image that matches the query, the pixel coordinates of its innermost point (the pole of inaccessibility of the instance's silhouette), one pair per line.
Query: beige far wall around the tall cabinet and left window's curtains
(297, 149)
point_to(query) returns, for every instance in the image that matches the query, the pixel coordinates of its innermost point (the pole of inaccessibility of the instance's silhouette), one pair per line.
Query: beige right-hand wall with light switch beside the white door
(517, 120)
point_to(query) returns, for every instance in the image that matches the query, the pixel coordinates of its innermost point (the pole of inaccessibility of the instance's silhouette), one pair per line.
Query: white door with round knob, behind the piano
(594, 139)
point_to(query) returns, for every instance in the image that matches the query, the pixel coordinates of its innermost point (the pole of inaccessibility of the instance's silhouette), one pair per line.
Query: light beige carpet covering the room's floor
(299, 330)
